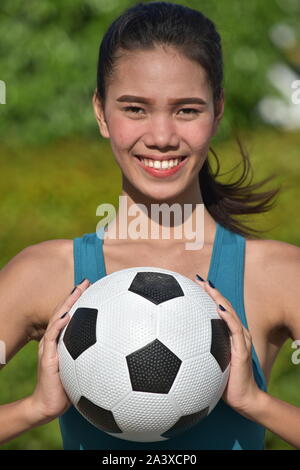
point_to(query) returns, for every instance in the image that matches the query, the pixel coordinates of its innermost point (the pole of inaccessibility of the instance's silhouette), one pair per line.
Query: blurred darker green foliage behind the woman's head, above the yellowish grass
(49, 52)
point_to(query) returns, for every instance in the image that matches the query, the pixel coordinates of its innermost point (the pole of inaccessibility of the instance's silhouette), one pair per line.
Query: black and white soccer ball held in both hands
(145, 355)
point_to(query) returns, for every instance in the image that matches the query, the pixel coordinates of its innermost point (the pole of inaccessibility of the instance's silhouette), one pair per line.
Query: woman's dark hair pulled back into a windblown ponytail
(146, 25)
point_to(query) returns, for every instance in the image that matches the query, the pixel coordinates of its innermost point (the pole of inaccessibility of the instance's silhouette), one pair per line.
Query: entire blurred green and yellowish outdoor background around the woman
(55, 168)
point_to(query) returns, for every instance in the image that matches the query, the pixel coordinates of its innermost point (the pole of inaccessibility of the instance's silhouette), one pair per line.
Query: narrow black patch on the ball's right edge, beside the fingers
(220, 343)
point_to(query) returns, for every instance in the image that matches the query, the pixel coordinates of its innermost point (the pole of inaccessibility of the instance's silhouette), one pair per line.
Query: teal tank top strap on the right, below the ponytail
(227, 274)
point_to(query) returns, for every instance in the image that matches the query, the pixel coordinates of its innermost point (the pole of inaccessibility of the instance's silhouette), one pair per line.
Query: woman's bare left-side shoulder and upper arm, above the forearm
(32, 284)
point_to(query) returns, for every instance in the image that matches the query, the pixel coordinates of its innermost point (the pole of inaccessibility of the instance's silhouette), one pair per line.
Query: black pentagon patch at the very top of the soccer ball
(156, 287)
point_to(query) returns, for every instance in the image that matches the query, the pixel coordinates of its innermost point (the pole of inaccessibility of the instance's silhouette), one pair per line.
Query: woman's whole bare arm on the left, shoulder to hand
(25, 308)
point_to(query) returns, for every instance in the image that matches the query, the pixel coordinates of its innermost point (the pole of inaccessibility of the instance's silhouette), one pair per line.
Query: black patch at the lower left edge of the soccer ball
(99, 417)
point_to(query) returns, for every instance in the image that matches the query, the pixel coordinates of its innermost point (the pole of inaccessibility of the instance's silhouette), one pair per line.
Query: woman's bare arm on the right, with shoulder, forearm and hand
(242, 392)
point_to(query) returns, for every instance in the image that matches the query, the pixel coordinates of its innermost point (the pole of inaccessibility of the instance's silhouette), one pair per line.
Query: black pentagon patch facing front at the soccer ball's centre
(153, 368)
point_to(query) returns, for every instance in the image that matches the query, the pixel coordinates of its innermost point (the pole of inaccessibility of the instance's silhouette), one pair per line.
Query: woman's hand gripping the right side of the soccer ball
(241, 390)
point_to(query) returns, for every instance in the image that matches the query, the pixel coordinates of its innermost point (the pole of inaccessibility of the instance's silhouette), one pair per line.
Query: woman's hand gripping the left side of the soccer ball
(49, 399)
